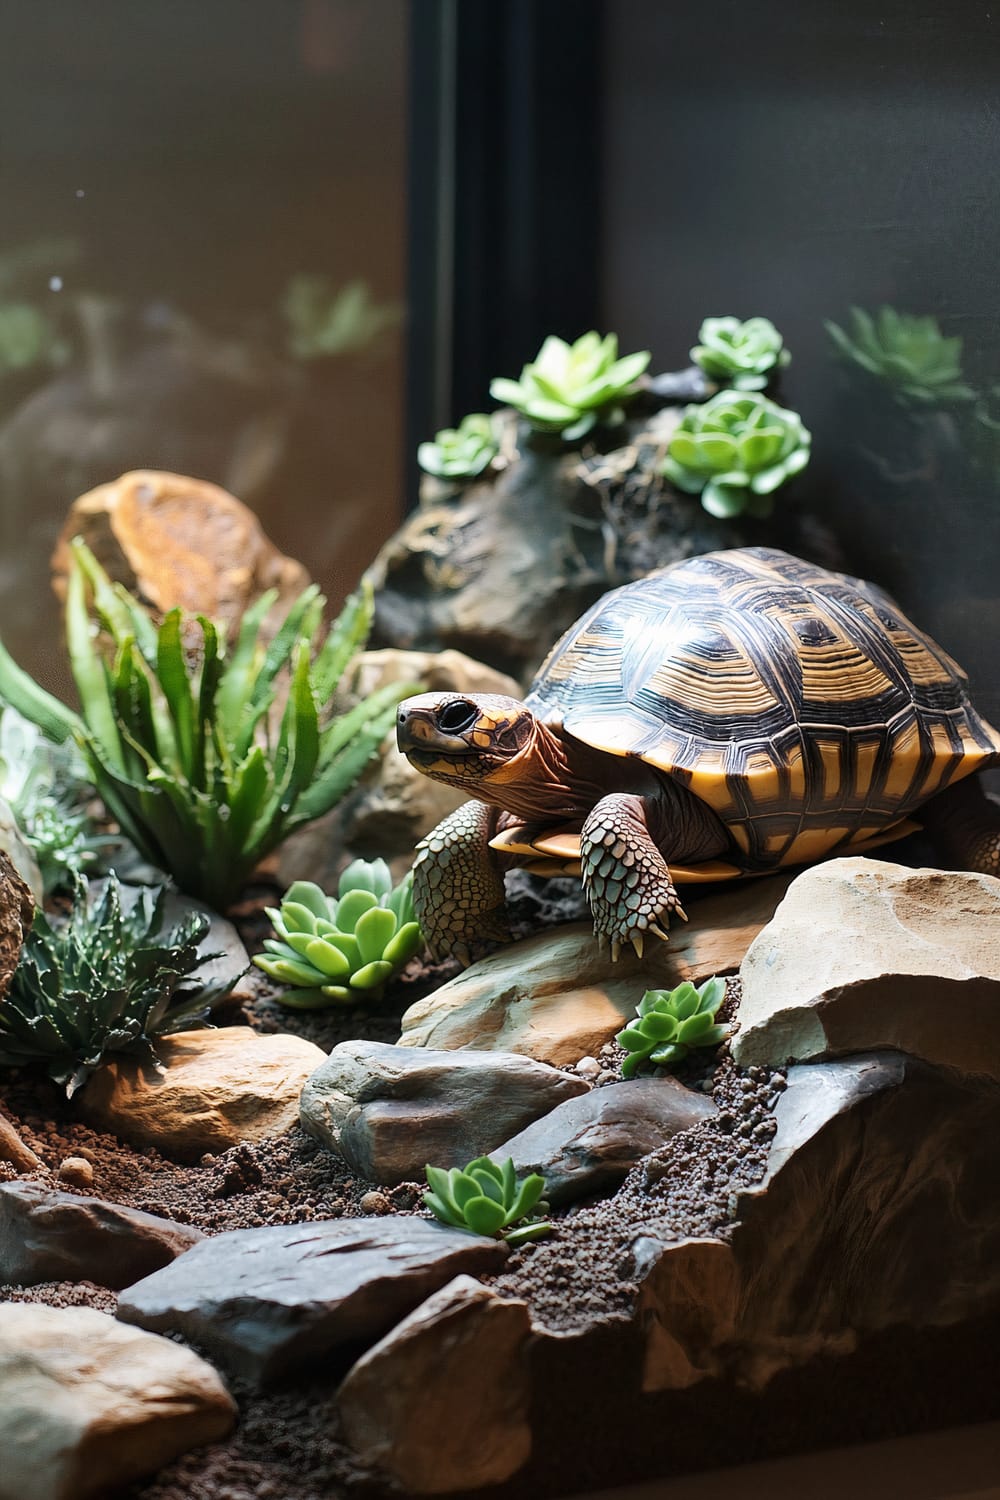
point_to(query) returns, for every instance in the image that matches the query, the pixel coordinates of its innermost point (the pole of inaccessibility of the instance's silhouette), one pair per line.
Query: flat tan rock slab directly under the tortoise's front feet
(557, 998)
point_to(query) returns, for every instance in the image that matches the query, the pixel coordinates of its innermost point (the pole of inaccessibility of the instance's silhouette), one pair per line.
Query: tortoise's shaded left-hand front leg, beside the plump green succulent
(458, 884)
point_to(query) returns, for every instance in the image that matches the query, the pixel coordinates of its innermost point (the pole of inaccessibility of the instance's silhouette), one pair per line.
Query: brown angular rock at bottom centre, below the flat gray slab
(443, 1400)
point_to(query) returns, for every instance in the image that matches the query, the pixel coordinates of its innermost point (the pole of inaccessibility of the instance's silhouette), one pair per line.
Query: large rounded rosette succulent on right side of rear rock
(735, 451)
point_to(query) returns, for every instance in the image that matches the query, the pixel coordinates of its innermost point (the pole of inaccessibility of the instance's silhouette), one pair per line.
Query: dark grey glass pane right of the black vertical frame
(800, 161)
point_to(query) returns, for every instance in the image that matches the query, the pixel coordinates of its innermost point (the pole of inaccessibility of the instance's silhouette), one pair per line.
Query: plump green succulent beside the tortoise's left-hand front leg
(334, 952)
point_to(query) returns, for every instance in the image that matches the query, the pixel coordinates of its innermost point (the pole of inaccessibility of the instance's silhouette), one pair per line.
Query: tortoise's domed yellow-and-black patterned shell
(800, 704)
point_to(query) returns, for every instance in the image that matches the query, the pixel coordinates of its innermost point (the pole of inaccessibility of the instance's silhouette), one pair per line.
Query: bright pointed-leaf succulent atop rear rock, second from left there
(570, 388)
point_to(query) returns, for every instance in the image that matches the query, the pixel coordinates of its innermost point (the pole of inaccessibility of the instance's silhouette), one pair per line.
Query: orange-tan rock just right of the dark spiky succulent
(221, 1088)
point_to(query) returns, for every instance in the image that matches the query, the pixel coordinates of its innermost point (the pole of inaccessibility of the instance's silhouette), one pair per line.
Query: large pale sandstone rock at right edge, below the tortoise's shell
(866, 955)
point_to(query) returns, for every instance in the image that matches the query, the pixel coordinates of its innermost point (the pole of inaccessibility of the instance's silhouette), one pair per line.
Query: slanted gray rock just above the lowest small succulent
(588, 1145)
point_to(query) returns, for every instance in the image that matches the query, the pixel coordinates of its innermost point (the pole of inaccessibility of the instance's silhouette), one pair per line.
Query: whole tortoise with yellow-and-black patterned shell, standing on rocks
(725, 716)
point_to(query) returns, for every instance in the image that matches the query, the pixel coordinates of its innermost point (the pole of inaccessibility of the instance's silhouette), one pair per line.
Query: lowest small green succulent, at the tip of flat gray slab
(488, 1199)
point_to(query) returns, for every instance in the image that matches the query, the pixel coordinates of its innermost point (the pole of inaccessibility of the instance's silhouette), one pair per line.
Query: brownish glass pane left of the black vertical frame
(203, 257)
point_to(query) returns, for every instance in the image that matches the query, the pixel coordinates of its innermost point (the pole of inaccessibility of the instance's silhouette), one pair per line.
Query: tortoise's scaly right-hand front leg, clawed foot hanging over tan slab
(626, 878)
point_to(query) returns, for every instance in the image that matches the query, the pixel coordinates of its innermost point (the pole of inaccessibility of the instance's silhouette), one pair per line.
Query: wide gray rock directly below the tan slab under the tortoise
(391, 1111)
